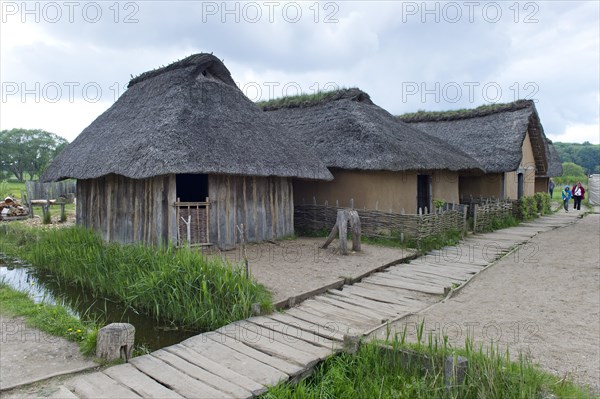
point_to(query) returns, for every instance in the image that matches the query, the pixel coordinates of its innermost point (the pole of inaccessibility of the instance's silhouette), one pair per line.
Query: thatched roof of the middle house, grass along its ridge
(348, 131)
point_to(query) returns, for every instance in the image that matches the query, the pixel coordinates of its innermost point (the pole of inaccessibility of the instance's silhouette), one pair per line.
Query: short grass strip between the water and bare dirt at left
(52, 319)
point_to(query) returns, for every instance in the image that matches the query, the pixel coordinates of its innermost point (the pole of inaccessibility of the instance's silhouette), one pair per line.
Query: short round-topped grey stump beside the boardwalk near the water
(115, 341)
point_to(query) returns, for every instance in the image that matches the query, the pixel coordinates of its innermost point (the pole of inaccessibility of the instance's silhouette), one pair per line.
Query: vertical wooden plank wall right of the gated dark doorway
(265, 205)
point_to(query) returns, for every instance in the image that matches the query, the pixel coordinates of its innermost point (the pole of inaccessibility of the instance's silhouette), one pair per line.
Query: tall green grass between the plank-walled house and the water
(175, 286)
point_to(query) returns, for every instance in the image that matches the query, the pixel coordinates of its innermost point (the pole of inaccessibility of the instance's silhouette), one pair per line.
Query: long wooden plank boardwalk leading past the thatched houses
(242, 359)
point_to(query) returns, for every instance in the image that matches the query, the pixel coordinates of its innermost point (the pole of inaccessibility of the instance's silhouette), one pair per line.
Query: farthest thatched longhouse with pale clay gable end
(507, 140)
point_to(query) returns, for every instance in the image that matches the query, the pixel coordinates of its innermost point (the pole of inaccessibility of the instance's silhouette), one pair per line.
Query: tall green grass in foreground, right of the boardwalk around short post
(377, 373)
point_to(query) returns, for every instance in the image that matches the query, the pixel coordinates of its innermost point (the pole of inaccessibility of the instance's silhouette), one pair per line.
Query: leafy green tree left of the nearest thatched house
(25, 151)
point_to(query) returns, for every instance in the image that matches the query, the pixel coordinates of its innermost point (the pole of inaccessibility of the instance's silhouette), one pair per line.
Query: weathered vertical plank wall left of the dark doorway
(128, 210)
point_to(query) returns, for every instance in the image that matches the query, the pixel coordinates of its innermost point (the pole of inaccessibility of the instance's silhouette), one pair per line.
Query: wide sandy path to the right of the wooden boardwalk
(546, 304)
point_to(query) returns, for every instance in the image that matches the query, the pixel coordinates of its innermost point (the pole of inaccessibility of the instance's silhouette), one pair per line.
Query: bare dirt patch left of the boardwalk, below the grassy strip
(27, 354)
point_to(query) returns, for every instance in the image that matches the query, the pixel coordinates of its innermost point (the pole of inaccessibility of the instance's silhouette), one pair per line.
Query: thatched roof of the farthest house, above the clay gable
(493, 135)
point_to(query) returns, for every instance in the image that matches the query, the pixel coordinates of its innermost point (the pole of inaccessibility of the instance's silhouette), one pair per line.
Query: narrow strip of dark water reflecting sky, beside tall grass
(43, 286)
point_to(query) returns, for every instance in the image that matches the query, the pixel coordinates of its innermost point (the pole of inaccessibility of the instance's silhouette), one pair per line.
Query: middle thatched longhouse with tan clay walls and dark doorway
(377, 161)
